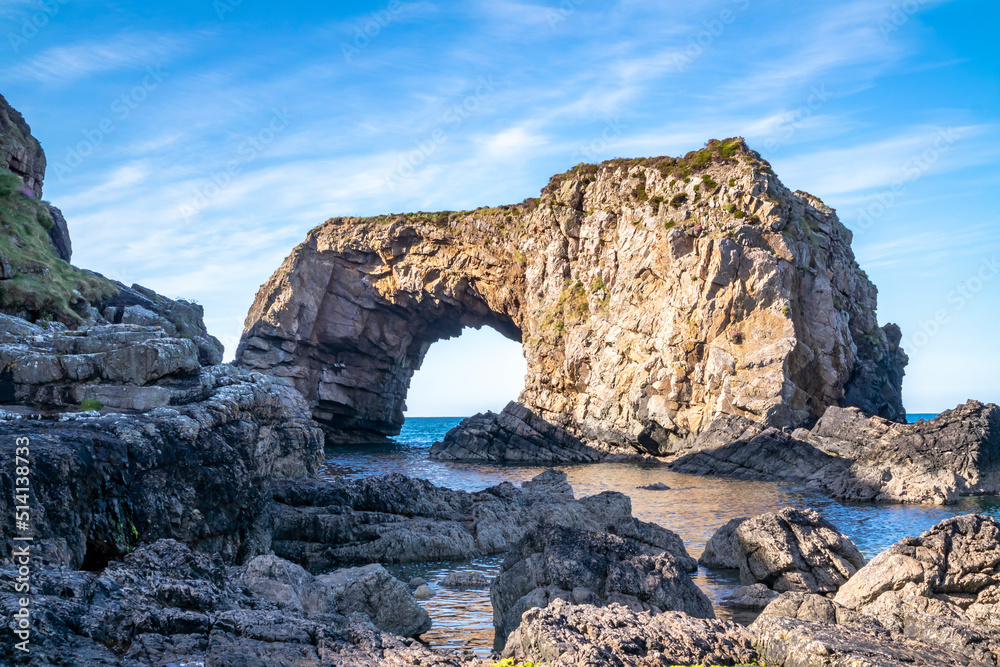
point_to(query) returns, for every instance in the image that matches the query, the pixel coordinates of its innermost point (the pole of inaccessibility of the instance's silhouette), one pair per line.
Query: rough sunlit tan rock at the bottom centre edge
(565, 635)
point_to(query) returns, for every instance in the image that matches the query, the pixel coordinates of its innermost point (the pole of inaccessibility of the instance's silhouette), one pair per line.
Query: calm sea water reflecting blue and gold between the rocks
(694, 508)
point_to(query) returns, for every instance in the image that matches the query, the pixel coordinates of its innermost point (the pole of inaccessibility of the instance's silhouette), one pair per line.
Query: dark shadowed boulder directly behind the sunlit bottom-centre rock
(590, 568)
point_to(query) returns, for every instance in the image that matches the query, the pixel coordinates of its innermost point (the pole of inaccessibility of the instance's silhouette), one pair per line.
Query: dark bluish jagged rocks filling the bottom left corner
(165, 605)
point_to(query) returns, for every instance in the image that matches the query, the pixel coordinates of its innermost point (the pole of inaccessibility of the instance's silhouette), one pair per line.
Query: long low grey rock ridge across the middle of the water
(393, 518)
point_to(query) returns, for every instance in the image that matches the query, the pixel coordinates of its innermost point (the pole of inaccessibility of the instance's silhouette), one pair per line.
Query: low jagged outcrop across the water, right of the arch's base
(859, 458)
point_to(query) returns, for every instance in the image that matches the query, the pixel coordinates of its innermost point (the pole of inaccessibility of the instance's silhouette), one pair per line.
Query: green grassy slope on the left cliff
(43, 284)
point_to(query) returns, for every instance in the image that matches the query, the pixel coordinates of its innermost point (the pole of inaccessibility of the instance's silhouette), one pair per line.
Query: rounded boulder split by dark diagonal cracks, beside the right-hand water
(795, 550)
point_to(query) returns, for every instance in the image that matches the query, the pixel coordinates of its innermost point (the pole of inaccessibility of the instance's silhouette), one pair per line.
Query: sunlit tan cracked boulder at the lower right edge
(951, 571)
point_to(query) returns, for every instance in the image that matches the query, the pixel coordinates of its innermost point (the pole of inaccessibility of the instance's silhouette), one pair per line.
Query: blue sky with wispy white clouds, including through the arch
(192, 144)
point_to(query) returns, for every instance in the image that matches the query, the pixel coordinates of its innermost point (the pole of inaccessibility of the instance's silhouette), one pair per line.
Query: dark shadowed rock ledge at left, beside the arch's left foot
(198, 472)
